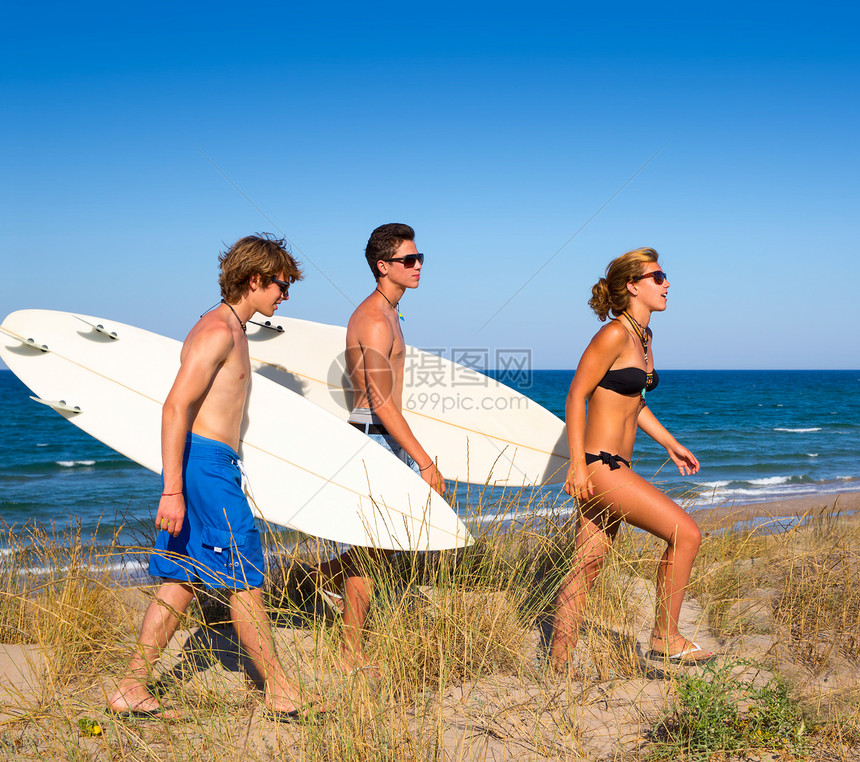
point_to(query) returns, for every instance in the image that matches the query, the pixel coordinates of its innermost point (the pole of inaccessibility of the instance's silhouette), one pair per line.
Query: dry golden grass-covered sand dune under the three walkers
(460, 637)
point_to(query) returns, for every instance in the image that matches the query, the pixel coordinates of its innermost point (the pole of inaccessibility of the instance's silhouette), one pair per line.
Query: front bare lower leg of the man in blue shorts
(255, 634)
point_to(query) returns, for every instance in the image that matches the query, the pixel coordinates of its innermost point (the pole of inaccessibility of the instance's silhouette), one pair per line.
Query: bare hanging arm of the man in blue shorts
(203, 354)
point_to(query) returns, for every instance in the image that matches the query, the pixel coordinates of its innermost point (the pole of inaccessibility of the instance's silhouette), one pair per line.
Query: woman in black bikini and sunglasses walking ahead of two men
(615, 371)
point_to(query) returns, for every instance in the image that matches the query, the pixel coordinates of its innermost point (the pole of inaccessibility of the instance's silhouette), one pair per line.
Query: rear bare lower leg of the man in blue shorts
(159, 624)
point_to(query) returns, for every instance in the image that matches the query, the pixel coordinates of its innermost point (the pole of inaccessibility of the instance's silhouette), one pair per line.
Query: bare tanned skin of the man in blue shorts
(208, 398)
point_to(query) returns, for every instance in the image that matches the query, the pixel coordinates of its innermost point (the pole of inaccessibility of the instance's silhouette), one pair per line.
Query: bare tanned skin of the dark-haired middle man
(375, 359)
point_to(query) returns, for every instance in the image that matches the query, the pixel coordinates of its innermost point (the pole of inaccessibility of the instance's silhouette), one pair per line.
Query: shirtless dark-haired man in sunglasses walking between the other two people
(375, 358)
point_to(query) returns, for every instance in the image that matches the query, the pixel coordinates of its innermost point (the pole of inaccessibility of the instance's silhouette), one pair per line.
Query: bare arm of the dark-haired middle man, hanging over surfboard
(376, 342)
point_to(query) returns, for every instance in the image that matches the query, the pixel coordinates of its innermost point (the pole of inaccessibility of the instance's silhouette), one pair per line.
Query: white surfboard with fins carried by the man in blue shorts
(307, 470)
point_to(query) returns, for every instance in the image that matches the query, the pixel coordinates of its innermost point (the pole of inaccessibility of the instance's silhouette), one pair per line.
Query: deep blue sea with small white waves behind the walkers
(759, 435)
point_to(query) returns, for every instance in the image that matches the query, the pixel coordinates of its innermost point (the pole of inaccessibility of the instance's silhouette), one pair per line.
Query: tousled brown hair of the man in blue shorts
(262, 254)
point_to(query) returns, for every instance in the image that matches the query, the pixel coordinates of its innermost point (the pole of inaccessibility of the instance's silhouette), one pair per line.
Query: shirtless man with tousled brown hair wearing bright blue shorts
(207, 534)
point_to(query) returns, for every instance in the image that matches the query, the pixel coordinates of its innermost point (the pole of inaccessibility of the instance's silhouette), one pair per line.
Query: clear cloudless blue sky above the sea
(527, 146)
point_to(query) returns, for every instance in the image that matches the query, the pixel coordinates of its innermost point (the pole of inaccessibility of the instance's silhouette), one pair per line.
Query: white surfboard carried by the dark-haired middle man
(480, 430)
